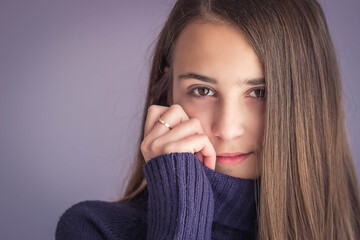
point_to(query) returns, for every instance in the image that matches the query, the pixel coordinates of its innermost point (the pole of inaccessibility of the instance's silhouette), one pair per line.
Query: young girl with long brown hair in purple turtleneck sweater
(243, 132)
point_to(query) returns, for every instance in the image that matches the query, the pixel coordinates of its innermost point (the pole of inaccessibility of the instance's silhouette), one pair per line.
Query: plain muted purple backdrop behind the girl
(72, 86)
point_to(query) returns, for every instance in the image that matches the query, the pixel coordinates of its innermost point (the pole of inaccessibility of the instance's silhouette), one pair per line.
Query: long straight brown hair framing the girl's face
(309, 188)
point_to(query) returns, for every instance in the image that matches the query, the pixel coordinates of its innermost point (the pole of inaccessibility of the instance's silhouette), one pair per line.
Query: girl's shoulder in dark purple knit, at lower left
(103, 220)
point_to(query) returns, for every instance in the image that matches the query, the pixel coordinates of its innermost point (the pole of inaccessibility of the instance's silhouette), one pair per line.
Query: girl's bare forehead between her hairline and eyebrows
(217, 50)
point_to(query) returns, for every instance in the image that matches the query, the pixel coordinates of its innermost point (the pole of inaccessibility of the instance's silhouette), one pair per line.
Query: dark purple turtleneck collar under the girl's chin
(234, 200)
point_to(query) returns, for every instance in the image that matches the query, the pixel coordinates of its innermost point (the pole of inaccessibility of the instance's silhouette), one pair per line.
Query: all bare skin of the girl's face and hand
(217, 98)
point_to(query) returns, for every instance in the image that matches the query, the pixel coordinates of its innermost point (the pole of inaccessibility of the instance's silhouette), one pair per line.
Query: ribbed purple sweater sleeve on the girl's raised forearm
(181, 202)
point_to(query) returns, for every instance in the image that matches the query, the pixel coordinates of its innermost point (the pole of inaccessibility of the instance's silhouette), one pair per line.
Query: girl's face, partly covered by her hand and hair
(218, 78)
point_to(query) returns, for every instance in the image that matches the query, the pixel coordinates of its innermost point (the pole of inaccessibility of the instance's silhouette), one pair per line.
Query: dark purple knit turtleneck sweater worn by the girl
(183, 200)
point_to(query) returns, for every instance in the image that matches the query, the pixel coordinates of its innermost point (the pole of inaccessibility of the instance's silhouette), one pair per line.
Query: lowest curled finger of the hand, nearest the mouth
(196, 143)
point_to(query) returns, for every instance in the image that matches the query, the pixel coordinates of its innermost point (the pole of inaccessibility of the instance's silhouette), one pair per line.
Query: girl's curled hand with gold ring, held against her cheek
(186, 135)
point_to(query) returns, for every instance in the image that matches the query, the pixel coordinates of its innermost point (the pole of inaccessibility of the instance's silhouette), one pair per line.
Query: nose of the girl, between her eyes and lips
(229, 122)
